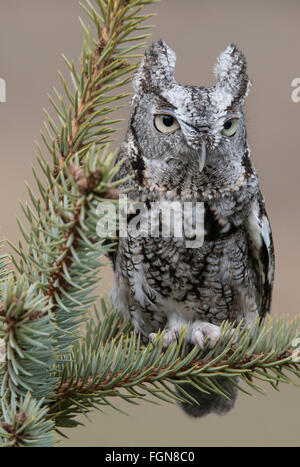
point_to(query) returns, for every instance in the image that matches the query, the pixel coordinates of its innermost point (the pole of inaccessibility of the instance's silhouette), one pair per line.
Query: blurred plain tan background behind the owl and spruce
(33, 33)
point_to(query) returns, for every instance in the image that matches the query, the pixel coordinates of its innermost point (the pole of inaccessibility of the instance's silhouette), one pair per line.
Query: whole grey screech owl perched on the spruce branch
(188, 143)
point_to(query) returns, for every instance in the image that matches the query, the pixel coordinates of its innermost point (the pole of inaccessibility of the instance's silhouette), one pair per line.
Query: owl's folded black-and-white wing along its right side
(261, 251)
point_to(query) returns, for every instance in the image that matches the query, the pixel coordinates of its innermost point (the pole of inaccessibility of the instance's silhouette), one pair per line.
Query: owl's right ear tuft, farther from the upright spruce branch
(231, 73)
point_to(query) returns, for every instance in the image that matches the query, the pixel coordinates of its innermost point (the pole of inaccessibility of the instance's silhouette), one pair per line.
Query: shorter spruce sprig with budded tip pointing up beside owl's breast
(64, 250)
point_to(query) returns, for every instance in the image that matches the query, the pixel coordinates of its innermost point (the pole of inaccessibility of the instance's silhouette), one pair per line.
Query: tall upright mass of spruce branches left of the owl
(58, 263)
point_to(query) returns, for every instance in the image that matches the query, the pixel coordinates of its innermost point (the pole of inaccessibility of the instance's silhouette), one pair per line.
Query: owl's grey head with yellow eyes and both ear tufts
(202, 126)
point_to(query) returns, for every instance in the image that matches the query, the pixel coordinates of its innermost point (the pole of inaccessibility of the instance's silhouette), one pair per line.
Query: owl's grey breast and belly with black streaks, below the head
(197, 272)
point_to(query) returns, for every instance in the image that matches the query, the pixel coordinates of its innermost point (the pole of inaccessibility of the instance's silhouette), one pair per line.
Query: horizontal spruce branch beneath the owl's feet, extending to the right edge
(111, 362)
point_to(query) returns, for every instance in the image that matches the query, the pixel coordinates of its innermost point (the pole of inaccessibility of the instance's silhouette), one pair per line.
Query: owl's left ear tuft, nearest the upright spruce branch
(157, 68)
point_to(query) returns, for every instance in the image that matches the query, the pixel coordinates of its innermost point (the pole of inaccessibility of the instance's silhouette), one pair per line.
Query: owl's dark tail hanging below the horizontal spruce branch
(209, 403)
